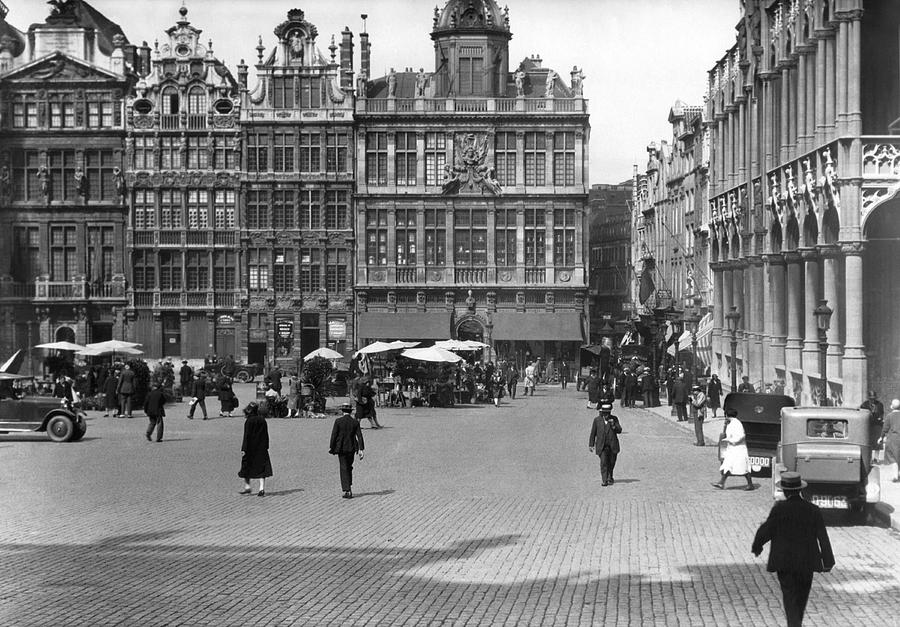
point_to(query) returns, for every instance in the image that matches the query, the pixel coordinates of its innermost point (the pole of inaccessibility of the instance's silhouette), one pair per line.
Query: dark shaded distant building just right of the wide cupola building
(610, 256)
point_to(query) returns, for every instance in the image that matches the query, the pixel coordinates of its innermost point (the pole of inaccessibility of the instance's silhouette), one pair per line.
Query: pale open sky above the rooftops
(638, 56)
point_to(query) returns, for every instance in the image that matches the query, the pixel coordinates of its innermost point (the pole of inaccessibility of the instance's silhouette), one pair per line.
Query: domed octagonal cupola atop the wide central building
(471, 45)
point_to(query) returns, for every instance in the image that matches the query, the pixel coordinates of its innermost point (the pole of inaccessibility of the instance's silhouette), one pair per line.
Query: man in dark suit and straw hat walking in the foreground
(800, 545)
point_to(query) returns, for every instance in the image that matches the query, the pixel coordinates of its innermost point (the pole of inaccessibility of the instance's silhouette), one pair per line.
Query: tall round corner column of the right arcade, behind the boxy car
(854, 363)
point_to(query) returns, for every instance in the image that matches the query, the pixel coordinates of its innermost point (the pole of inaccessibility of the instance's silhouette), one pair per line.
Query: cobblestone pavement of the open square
(466, 516)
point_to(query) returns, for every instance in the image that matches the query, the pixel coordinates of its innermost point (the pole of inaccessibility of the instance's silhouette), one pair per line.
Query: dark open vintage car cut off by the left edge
(58, 418)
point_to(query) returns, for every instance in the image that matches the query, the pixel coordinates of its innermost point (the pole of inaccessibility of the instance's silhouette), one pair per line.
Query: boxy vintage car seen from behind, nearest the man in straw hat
(831, 448)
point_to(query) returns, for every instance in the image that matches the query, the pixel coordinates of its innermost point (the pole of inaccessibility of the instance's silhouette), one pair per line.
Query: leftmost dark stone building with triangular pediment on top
(62, 191)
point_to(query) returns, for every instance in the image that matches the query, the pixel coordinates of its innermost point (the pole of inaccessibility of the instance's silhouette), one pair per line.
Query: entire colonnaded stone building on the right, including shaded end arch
(804, 174)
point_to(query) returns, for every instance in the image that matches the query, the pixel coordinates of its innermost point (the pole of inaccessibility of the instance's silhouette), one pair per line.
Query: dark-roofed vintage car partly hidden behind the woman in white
(761, 416)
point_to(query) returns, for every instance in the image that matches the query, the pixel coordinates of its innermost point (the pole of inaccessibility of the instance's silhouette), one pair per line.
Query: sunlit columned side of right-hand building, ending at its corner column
(785, 197)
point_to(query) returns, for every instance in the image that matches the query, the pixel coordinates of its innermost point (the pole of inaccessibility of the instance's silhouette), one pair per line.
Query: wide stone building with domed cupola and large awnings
(472, 195)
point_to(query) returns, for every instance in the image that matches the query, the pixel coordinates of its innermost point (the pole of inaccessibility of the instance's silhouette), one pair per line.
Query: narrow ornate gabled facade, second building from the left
(182, 162)
